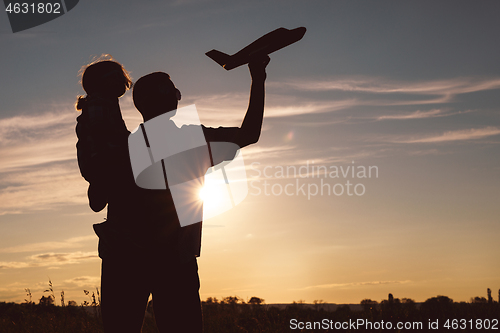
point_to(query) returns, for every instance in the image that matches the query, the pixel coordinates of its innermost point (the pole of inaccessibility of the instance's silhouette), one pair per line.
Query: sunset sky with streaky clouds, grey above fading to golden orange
(409, 88)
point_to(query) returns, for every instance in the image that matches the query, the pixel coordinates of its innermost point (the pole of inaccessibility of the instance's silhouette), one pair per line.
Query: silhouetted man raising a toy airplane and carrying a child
(144, 249)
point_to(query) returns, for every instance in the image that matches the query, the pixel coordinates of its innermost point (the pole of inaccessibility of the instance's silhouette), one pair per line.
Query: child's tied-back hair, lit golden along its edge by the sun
(94, 74)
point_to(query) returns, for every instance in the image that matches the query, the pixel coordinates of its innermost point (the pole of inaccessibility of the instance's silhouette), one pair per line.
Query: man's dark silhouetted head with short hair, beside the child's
(155, 94)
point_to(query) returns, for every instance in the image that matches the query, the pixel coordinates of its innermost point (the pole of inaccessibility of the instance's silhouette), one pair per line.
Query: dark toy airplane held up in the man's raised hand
(270, 42)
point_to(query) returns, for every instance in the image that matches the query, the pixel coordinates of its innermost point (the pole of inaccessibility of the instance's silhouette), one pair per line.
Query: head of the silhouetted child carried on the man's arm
(105, 77)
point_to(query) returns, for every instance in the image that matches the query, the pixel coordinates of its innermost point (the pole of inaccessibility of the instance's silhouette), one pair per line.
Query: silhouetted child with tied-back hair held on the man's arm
(100, 128)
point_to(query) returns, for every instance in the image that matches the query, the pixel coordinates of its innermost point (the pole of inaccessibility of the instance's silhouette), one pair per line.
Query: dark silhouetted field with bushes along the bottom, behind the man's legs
(232, 315)
